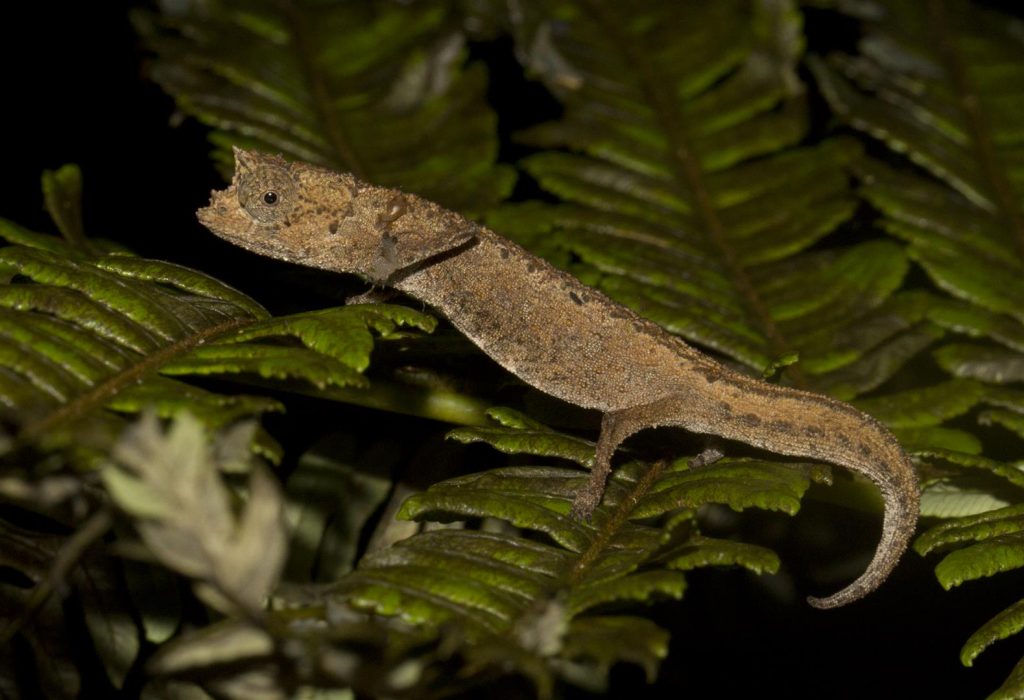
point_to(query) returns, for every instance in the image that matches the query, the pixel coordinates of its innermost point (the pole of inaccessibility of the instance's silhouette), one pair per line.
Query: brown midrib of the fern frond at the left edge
(103, 392)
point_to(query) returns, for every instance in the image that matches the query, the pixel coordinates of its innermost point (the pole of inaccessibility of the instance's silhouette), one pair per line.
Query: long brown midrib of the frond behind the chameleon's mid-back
(690, 178)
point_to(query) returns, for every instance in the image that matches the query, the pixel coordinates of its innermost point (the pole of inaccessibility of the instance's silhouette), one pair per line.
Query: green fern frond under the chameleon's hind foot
(635, 550)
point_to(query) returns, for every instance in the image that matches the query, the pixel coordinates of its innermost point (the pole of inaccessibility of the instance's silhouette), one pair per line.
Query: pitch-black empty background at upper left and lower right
(74, 92)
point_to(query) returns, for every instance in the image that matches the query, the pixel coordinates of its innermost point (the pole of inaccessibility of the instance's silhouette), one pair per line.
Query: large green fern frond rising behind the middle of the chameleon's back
(687, 196)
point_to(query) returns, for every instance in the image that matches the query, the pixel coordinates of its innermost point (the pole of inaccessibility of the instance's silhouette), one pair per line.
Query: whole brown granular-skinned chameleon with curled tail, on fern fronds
(557, 334)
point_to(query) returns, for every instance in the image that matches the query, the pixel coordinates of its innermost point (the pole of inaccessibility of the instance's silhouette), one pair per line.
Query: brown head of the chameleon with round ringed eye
(290, 211)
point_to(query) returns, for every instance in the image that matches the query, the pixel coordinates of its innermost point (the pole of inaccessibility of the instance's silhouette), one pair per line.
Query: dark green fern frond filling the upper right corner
(937, 81)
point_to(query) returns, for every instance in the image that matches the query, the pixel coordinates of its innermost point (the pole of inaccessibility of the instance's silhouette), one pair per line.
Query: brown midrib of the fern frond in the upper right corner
(978, 124)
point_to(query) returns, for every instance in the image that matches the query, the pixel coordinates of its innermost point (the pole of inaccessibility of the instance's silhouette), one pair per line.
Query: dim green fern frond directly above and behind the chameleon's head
(382, 92)
